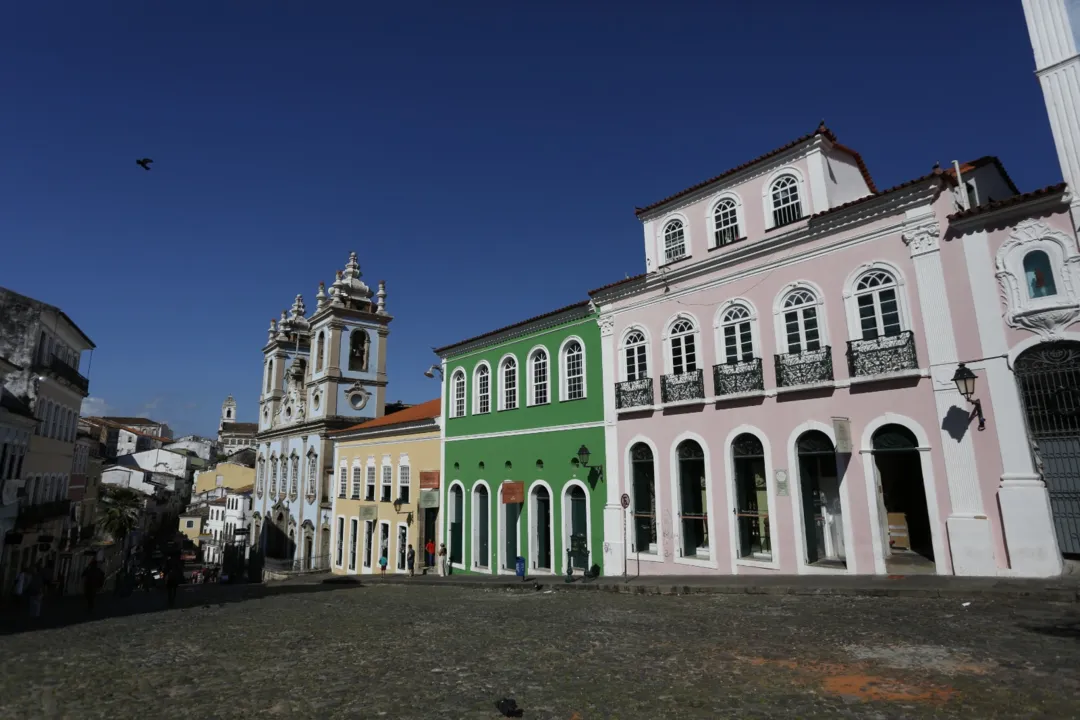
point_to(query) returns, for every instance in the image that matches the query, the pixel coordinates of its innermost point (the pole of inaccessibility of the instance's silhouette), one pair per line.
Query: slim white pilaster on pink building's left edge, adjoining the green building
(615, 551)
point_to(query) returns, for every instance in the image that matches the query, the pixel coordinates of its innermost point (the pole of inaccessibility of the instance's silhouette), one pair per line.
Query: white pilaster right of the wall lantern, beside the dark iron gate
(1027, 520)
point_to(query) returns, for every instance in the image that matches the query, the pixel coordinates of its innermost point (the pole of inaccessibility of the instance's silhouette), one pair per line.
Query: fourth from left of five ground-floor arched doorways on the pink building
(822, 511)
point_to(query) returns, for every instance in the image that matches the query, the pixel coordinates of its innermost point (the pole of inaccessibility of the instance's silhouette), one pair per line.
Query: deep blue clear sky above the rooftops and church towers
(483, 158)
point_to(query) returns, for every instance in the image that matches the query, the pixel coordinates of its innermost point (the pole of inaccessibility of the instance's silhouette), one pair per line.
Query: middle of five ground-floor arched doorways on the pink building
(752, 498)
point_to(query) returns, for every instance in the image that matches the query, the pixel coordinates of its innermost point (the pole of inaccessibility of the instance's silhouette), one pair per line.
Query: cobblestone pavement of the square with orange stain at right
(348, 651)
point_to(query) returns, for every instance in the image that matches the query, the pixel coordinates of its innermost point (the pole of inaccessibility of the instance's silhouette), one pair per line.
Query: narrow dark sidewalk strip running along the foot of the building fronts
(1045, 594)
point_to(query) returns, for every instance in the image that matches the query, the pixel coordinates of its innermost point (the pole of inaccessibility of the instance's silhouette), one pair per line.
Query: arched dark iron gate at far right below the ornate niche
(1049, 378)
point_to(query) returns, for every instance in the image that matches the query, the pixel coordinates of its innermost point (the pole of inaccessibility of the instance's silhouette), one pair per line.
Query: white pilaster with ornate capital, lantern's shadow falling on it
(969, 529)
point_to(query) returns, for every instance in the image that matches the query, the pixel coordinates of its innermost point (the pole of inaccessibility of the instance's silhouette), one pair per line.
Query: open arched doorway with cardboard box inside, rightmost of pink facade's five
(909, 547)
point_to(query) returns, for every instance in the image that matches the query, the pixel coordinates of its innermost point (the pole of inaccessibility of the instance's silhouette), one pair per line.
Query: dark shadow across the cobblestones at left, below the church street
(61, 613)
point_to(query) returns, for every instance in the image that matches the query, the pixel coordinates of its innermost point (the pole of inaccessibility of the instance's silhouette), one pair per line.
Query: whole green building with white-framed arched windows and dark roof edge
(521, 407)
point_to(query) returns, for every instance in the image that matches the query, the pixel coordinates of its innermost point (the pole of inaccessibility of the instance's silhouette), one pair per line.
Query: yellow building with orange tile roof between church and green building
(386, 491)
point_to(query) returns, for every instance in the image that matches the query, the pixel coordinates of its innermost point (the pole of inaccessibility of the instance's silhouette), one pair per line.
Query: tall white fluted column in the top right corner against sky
(1055, 30)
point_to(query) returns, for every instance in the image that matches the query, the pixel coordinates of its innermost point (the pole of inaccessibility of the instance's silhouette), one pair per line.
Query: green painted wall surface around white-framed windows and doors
(519, 457)
